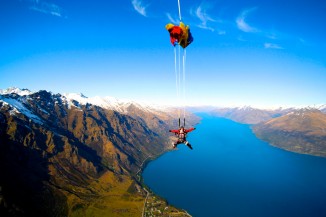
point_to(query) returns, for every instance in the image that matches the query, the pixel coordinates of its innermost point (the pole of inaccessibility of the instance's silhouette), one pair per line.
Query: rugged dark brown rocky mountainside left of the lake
(61, 157)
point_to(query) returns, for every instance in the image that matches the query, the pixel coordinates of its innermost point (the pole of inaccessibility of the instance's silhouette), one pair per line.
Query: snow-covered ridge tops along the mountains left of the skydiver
(20, 99)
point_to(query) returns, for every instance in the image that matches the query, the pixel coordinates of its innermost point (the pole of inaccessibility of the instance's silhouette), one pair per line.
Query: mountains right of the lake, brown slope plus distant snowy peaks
(301, 130)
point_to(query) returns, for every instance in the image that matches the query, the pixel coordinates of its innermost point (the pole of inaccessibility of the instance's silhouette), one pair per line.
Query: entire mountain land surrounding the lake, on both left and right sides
(70, 155)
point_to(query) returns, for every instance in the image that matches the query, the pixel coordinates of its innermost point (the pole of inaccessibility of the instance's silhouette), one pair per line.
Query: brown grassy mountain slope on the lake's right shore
(302, 131)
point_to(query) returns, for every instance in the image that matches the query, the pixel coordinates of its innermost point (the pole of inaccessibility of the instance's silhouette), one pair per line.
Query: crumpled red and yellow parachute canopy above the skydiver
(179, 34)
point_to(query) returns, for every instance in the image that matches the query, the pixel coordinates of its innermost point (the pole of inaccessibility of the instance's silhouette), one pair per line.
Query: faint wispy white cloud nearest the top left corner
(46, 7)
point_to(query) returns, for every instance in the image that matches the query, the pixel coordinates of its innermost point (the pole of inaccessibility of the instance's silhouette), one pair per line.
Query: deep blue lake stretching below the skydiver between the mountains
(231, 173)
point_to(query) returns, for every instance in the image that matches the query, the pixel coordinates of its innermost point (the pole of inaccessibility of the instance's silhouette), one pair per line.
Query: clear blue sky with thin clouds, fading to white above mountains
(259, 53)
